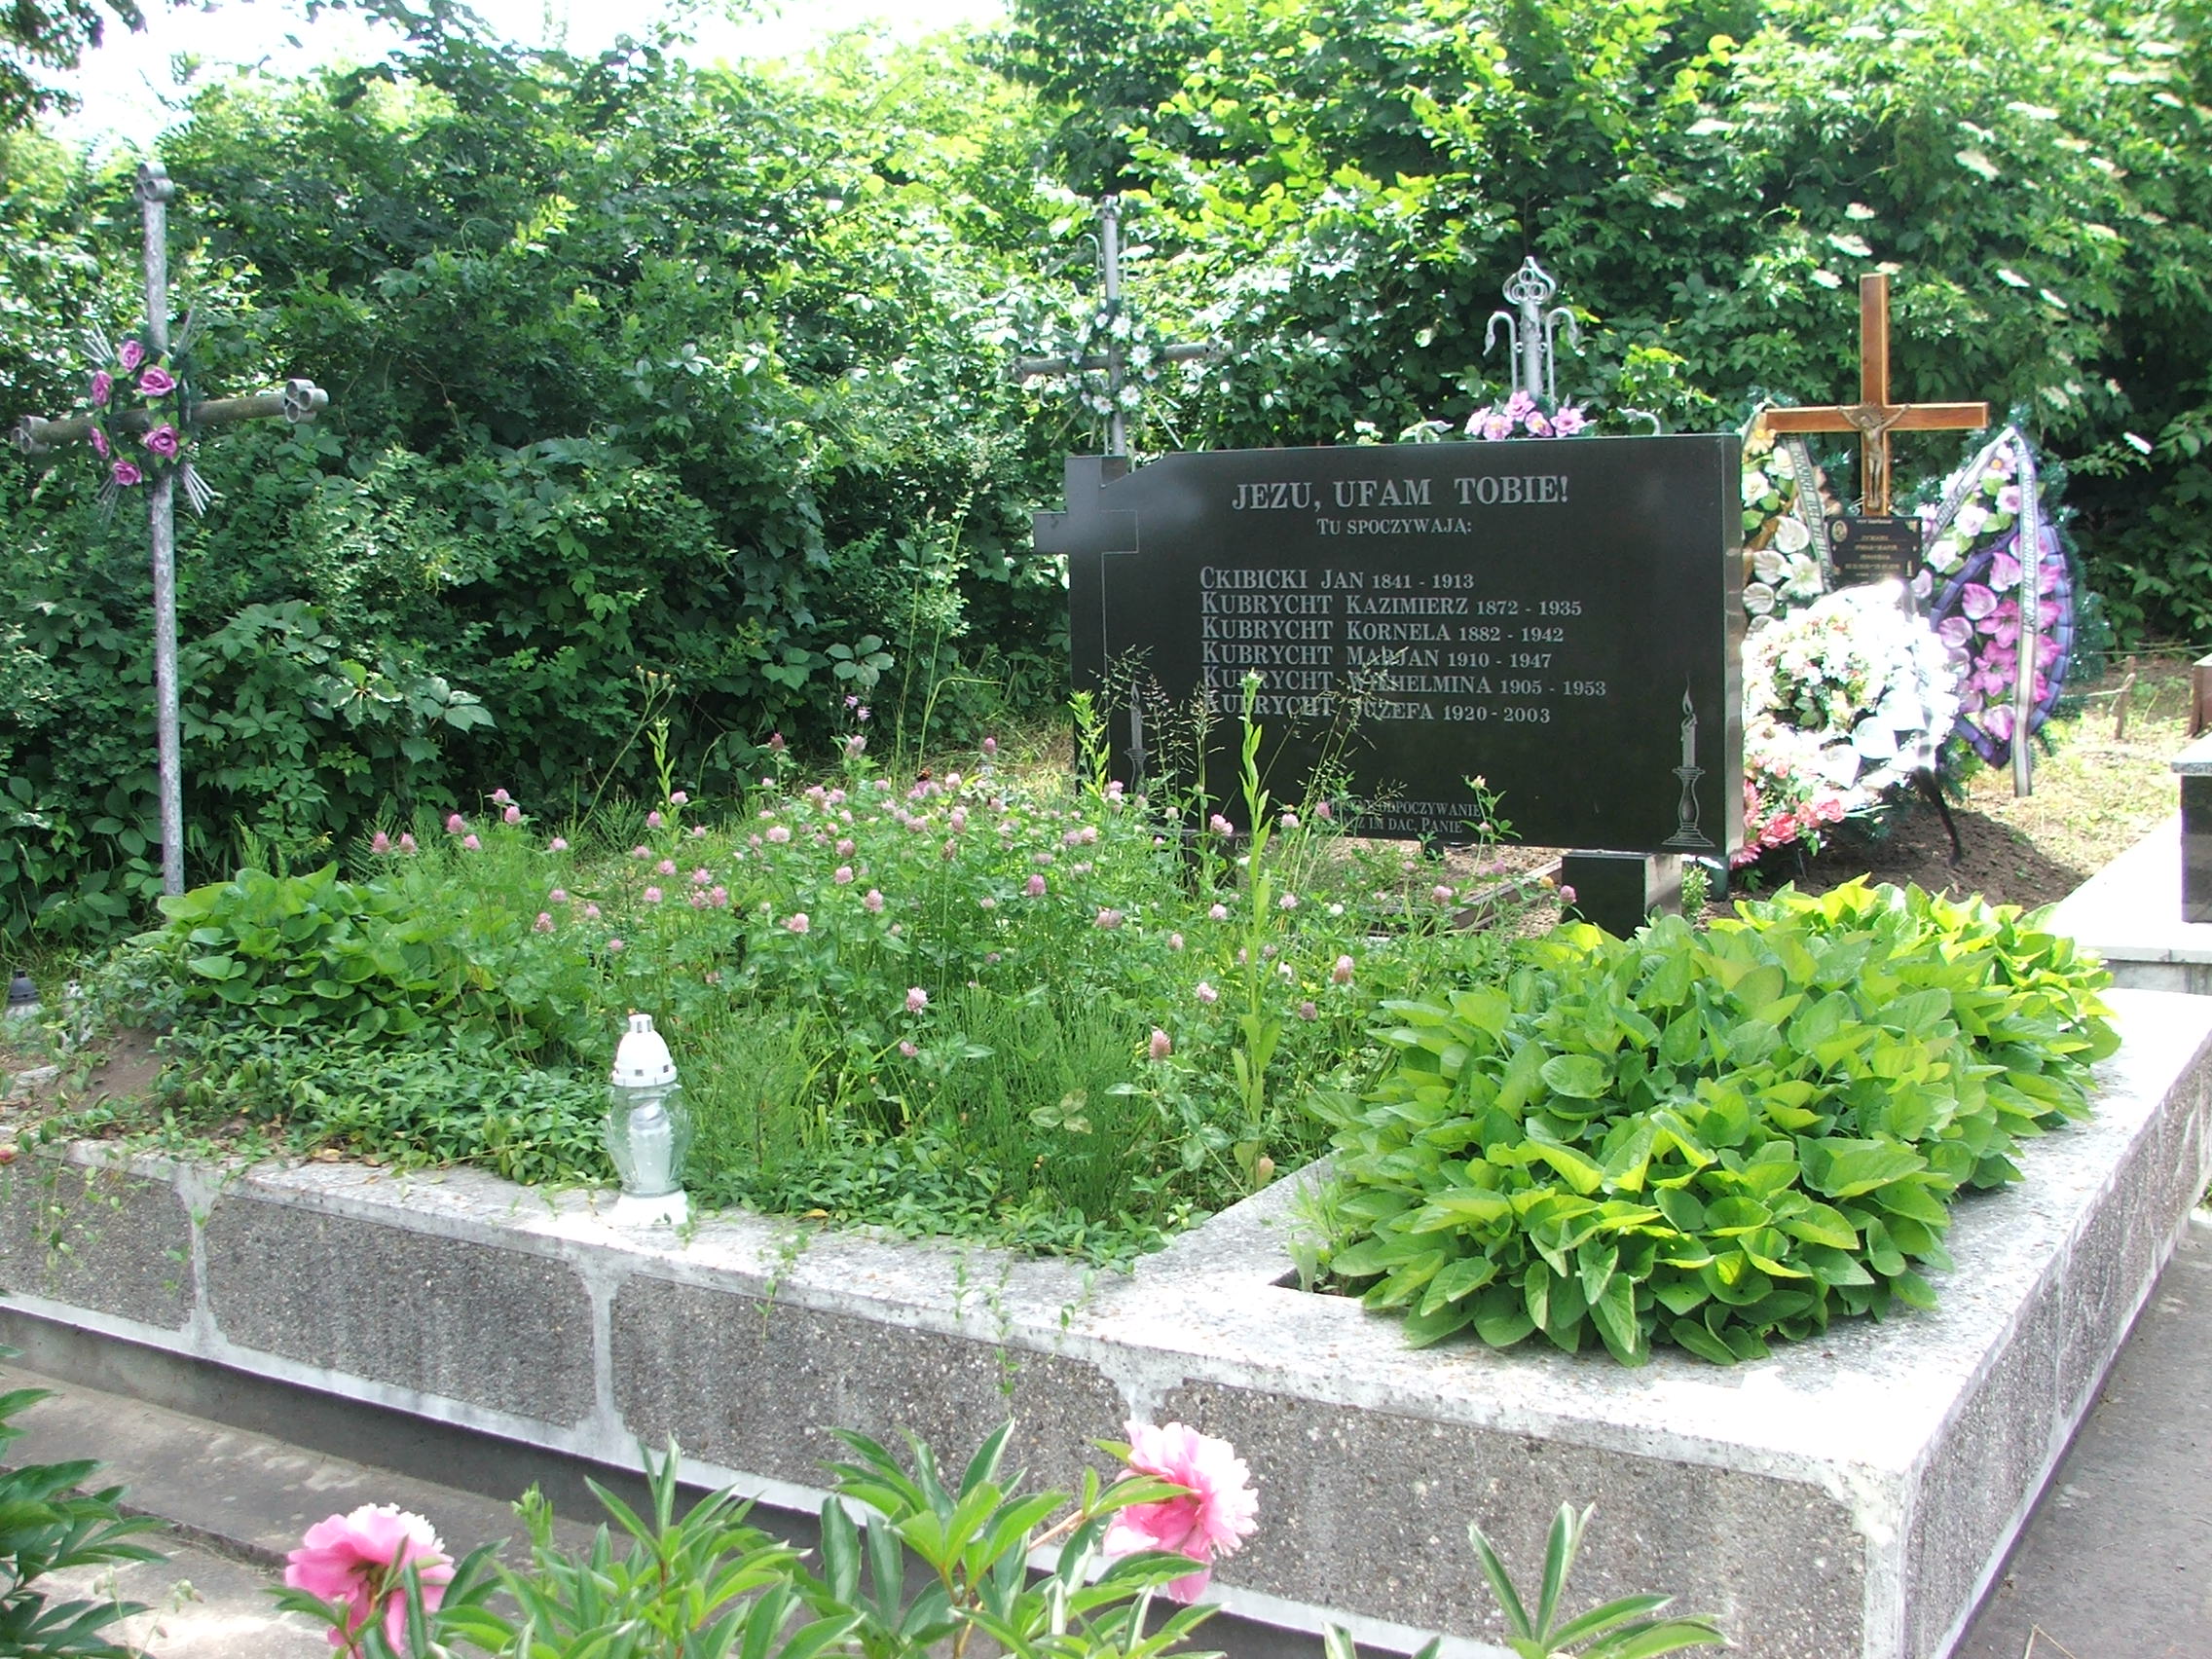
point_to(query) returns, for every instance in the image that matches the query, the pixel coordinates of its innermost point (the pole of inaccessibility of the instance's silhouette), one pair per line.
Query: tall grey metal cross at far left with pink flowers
(298, 401)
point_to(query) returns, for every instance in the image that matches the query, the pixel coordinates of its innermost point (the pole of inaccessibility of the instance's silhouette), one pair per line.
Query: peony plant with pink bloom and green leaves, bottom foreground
(928, 1567)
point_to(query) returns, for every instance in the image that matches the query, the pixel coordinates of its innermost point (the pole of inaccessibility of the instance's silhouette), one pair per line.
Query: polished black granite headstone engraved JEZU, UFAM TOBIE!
(1558, 618)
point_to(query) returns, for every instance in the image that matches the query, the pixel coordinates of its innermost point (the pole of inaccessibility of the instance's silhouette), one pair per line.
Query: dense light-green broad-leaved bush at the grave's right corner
(1707, 1138)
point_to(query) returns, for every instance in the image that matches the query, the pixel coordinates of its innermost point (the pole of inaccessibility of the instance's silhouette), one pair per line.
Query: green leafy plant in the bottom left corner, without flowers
(52, 1525)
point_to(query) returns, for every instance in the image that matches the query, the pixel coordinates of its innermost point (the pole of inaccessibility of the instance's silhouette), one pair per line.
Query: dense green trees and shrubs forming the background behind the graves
(645, 371)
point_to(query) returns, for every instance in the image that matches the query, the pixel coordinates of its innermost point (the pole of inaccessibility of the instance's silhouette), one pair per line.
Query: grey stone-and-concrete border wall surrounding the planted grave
(1848, 1496)
